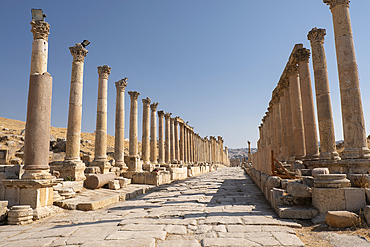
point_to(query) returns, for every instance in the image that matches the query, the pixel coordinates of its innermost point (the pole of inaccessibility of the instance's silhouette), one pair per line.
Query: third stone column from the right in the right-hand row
(310, 132)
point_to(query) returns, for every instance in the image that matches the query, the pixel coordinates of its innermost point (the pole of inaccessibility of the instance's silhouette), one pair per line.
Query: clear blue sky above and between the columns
(213, 63)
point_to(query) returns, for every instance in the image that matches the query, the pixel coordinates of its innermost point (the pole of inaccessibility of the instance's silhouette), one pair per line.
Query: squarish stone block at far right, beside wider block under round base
(355, 198)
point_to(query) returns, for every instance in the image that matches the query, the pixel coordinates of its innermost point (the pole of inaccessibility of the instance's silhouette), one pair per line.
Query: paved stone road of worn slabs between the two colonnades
(222, 208)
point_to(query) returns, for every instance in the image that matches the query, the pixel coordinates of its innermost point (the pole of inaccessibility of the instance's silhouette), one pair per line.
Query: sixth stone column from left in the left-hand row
(145, 141)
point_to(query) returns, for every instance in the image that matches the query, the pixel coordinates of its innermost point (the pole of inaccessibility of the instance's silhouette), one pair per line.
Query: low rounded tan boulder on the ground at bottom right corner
(341, 219)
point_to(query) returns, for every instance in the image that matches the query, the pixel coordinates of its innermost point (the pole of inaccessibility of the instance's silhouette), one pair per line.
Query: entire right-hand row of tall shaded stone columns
(289, 126)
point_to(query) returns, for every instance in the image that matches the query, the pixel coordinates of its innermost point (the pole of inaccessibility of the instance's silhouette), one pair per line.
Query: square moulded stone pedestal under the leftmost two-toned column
(34, 192)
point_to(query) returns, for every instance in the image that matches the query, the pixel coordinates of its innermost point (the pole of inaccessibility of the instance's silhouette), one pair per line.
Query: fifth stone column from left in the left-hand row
(134, 164)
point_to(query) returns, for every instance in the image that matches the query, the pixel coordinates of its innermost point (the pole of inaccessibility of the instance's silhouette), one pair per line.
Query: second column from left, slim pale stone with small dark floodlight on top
(72, 165)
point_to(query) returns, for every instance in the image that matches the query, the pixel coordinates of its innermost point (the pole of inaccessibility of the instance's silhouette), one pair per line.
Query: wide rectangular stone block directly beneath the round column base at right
(328, 199)
